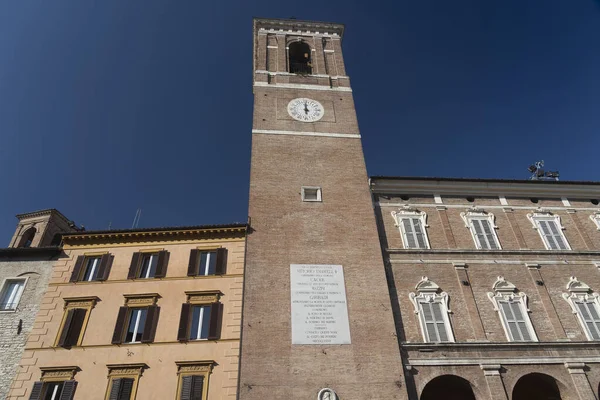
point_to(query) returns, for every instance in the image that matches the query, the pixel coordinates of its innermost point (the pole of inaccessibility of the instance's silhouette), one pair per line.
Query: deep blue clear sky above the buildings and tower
(110, 106)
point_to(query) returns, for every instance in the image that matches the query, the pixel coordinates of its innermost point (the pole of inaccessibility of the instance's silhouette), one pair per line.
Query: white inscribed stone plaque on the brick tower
(319, 310)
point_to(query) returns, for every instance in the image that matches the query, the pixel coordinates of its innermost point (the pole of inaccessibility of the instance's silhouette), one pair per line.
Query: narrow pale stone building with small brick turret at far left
(25, 268)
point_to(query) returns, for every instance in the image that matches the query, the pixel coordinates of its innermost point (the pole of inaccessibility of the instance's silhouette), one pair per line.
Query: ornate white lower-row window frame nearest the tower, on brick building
(429, 291)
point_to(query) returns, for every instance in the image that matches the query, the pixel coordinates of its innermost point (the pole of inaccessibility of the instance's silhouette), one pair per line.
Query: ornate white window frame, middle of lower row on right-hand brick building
(503, 290)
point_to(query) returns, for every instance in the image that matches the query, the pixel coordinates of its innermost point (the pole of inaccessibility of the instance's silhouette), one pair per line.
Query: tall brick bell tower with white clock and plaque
(316, 310)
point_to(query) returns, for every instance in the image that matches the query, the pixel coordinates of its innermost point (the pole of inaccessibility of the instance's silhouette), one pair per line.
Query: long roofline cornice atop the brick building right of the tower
(476, 187)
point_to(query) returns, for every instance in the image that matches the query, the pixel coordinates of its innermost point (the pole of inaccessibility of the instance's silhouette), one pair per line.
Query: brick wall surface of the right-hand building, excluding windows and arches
(468, 274)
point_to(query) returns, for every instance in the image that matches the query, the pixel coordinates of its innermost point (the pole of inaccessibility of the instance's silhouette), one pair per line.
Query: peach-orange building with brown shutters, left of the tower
(141, 313)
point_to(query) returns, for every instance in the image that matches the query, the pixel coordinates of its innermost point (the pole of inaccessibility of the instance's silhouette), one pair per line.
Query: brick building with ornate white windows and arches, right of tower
(494, 286)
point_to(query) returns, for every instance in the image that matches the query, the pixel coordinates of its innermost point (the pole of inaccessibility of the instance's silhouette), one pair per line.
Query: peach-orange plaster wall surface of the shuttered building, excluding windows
(97, 351)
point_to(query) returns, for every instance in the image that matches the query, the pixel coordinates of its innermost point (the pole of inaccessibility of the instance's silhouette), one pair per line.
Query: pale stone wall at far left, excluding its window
(12, 342)
